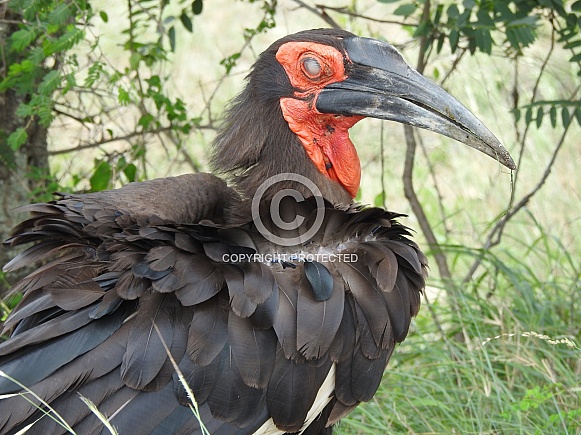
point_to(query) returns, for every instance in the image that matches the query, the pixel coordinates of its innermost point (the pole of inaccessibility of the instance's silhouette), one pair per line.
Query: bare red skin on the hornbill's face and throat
(324, 136)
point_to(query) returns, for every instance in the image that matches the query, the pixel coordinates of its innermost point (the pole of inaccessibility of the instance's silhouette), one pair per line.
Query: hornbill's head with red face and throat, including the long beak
(317, 84)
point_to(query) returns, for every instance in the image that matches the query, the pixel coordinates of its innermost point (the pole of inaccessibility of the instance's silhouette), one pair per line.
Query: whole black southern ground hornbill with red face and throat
(279, 299)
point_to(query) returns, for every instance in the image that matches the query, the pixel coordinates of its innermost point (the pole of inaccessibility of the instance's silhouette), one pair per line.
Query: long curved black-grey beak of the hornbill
(382, 85)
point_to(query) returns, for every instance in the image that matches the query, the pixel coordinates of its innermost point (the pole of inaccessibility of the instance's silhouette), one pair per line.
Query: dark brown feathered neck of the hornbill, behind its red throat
(260, 155)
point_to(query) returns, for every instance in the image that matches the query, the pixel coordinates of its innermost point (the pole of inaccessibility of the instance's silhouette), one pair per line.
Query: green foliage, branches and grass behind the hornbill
(97, 94)
